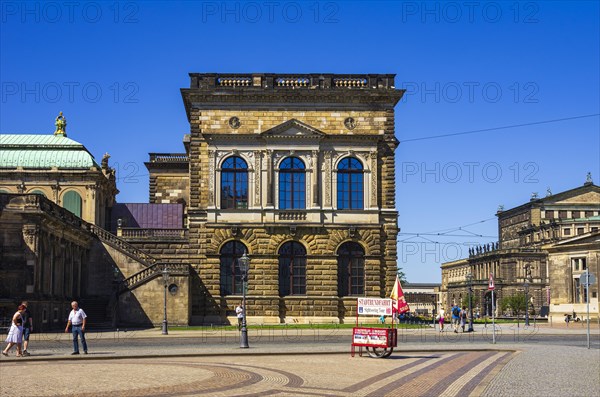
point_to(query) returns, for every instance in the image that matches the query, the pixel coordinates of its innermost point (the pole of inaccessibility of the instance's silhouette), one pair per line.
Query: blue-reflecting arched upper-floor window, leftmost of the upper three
(234, 183)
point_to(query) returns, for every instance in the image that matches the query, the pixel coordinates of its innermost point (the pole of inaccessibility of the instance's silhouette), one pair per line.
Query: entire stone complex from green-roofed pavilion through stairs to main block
(297, 171)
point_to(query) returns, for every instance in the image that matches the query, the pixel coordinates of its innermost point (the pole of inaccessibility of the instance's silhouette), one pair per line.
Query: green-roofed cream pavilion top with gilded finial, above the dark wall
(60, 169)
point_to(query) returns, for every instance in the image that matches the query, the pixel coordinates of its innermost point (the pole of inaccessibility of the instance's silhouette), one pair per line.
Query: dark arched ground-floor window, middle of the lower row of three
(292, 269)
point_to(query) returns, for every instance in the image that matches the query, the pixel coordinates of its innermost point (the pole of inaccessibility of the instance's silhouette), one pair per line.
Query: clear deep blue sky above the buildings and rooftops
(115, 70)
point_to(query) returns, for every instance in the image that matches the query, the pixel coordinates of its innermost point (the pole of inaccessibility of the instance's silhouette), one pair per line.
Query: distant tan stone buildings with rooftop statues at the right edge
(544, 245)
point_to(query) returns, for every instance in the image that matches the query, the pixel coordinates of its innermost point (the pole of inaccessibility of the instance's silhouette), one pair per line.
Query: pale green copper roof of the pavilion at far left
(43, 151)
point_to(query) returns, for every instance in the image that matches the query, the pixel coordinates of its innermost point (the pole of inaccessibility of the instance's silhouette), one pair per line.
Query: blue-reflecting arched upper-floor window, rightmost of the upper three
(350, 184)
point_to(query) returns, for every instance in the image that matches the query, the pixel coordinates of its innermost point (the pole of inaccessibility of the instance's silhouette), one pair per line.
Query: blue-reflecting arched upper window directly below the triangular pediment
(292, 184)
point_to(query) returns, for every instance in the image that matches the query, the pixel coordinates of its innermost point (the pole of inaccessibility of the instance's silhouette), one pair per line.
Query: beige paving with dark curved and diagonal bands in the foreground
(427, 374)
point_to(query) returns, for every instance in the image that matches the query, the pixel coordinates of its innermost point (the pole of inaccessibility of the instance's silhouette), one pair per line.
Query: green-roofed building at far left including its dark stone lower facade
(45, 249)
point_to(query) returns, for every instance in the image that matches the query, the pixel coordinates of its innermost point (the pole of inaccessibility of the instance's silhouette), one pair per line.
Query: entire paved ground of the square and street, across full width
(146, 363)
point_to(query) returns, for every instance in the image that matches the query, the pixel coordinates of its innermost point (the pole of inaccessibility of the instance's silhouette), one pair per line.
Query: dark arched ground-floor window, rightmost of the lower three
(351, 269)
